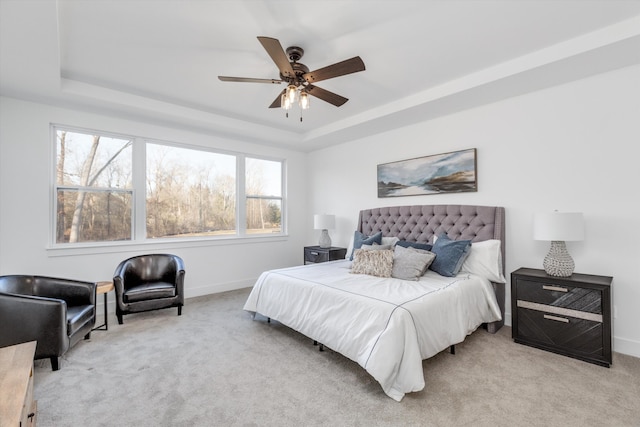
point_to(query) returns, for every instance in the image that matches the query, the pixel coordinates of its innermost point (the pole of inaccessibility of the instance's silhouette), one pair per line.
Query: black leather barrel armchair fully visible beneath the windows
(149, 282)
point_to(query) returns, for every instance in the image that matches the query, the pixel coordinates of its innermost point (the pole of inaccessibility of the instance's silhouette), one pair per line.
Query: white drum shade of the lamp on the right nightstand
(558, 226)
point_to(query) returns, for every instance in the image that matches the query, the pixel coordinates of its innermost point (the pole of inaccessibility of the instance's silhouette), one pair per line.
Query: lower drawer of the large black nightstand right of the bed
(572, 335)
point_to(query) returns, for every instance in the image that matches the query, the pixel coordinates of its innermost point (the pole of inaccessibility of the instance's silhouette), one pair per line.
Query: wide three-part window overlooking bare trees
(185, 192)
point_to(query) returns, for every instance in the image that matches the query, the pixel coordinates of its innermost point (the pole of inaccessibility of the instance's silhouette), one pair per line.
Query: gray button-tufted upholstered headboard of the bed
(420, 223)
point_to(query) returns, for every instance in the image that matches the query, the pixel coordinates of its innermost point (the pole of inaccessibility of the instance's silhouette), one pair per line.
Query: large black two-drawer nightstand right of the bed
(566, 315)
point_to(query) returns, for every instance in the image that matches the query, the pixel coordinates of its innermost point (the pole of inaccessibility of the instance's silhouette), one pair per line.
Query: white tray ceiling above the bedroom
(158, 61)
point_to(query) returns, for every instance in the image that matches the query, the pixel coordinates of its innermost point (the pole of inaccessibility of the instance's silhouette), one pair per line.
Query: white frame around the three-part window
(138, 194)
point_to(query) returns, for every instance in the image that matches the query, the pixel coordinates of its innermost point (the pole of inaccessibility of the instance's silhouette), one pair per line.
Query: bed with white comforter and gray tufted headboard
(386, 324)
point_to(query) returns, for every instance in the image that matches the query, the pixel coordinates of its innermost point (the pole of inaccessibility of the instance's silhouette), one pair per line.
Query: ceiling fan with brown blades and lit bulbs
(298, 77)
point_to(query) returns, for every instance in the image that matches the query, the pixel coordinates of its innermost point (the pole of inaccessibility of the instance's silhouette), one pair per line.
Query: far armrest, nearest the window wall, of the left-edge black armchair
(74, 292)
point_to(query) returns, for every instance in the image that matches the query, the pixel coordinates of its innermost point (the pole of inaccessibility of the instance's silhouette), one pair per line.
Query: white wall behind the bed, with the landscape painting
(570, 148)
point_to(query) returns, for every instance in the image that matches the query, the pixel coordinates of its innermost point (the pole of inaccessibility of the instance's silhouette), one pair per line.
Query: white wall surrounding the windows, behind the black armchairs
(25, 168)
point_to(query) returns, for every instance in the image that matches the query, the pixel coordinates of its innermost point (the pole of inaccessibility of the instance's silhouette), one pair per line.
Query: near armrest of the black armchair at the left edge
(31, 318)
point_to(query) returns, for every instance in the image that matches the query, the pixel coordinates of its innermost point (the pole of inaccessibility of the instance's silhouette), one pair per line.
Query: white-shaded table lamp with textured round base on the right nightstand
(558, 227)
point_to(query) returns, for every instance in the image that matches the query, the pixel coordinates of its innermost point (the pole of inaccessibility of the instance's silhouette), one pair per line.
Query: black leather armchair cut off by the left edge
(56, 313)
